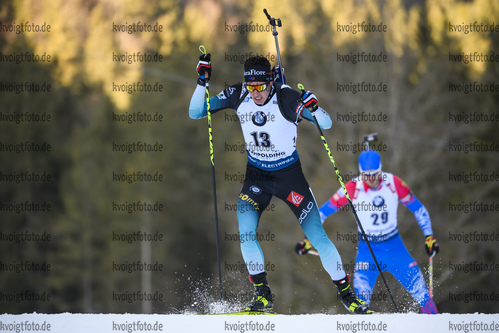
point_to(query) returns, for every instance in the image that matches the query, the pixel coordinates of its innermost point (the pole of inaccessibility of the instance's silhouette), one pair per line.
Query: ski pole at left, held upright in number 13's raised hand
(212, 159)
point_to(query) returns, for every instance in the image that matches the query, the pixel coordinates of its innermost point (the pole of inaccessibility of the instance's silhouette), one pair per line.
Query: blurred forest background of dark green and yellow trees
(419, 132)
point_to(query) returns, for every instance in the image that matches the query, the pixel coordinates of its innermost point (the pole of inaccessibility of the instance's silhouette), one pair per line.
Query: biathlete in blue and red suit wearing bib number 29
(375, 196)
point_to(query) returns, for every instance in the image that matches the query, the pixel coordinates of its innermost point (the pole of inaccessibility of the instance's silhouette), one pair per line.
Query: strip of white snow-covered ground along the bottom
(97, 323)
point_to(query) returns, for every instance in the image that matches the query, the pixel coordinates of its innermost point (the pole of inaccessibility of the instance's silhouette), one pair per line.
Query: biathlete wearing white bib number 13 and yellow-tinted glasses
(269, 113)
